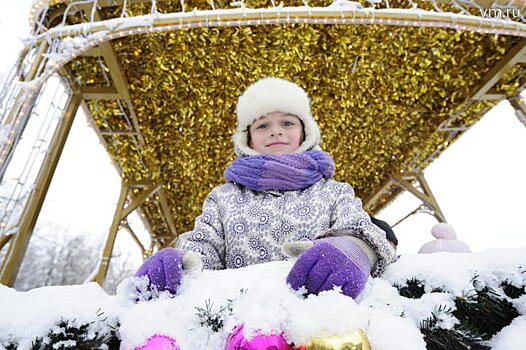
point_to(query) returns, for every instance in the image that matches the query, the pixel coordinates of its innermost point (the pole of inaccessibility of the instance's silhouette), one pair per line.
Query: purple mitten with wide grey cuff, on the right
(333, 261)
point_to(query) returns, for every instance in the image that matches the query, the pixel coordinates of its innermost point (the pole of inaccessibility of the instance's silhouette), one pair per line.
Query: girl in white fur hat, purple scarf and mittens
(279, 200)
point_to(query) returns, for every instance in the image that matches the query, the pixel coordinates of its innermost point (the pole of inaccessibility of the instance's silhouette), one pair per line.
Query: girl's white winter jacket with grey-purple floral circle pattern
(240, 227)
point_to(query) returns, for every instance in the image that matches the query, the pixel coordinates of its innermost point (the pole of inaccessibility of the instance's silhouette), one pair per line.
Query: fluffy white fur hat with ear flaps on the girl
(274, 95)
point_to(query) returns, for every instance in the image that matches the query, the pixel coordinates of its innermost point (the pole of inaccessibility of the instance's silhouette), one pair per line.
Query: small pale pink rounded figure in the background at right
(446, 241)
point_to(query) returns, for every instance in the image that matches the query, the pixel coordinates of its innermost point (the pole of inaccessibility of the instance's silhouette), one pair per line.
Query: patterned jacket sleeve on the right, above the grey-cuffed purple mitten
(349, 219)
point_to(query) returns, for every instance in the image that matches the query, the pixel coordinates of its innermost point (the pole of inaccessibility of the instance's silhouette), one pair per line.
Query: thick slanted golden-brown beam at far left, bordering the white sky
(29, 216)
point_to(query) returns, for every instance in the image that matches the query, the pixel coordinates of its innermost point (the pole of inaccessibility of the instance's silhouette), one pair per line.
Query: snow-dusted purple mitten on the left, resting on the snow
(164, 269)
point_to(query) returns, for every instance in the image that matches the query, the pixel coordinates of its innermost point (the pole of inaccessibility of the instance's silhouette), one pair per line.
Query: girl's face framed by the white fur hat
(276, 133)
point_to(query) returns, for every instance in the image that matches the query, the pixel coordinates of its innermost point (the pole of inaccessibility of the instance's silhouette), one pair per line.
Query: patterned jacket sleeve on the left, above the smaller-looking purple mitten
(207, 237)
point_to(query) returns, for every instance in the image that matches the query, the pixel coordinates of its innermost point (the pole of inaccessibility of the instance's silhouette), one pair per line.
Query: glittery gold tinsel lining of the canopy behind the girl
(379, 94)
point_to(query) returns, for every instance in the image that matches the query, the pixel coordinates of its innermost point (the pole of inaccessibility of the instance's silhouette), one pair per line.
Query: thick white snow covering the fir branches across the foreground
(258, 297)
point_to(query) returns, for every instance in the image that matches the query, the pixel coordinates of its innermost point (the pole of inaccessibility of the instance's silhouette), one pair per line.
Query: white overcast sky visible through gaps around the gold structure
(478, 181)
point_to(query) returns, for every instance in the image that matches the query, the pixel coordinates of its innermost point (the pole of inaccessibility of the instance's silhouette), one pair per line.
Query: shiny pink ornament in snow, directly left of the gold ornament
(237, 341)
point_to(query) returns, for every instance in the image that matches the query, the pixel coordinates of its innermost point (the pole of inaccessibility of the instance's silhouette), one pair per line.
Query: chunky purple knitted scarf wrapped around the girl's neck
(294, 171)
